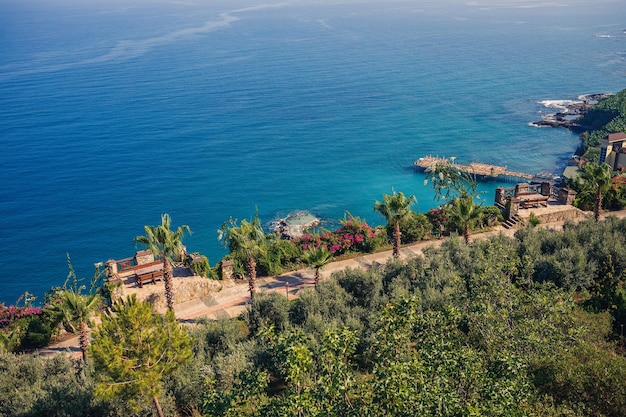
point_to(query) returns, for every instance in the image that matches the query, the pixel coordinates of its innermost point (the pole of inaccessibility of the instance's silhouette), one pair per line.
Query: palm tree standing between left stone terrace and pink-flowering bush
(245, 241)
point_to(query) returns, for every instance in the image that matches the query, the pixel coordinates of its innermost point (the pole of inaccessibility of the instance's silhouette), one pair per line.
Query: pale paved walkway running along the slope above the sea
(232, 301)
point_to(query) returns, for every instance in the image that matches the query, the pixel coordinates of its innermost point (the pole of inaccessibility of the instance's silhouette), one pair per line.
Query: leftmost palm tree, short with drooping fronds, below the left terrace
(77, 309)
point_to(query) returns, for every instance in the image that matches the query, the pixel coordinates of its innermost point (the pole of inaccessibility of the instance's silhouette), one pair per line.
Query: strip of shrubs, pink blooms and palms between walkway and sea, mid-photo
(273, 255)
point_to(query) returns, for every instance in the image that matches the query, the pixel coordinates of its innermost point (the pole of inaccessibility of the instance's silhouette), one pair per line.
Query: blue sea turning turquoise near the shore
(115, 112)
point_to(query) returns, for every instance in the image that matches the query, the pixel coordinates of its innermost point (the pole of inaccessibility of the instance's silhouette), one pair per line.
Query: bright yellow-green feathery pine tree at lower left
(133, 349)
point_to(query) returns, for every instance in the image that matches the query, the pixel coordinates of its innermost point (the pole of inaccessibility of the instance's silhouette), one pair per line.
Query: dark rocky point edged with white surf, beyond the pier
(569, 111)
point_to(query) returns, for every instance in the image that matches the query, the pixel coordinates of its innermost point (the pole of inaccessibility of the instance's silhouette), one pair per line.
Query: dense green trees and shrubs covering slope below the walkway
(530, 326)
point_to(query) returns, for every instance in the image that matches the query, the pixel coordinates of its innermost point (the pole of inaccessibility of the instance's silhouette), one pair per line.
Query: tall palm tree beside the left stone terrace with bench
(168, 244)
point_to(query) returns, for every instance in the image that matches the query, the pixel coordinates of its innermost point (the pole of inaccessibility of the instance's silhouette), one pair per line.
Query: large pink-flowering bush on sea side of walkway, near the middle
(354, 235)
